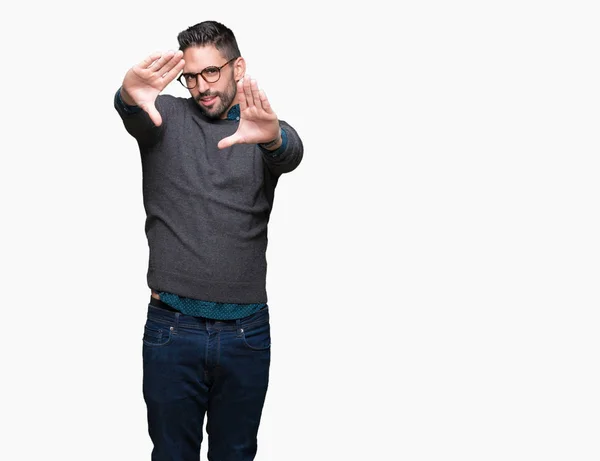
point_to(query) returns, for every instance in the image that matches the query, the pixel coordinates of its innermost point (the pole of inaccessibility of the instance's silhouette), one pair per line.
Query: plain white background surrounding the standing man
(433, 262)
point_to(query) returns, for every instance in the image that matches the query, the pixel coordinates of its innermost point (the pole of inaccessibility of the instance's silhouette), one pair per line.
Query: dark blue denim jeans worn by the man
(195, 366)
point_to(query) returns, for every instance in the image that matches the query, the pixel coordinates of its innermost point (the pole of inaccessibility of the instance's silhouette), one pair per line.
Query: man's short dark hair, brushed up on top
(210, 33)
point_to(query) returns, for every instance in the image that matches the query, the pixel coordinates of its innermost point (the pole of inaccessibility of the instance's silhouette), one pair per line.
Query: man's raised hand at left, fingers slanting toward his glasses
(144, 82)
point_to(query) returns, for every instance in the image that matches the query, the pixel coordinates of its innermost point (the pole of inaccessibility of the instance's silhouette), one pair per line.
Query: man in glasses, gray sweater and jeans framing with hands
(210, 165)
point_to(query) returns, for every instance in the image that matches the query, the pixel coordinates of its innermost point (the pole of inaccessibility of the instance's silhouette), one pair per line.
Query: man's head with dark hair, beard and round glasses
(213, 66)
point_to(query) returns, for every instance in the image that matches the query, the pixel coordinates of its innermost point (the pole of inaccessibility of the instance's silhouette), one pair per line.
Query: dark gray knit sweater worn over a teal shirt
(207, 209)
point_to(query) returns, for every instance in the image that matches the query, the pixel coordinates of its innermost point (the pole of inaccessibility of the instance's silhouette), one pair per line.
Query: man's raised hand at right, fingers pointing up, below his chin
(258, 122)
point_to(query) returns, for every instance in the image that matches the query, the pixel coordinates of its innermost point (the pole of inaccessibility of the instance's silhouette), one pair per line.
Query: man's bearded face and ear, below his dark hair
(214, 99)
